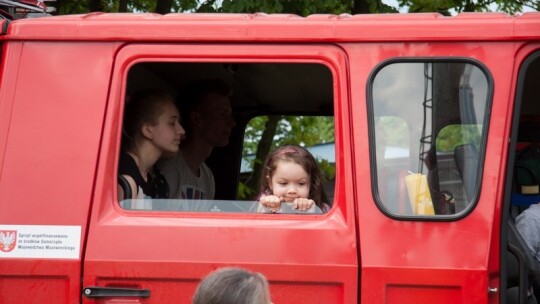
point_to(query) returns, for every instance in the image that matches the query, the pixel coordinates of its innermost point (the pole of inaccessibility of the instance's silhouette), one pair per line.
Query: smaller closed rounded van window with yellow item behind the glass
(428, 128)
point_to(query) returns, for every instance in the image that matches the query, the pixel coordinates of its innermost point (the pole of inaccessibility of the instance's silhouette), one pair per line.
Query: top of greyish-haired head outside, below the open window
(233, 286)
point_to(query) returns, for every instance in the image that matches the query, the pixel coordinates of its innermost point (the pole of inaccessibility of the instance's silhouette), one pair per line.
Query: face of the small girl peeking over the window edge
(290, 181)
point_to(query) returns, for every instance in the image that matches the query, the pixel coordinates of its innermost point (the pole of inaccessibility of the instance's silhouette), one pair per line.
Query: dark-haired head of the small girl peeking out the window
(293, 168)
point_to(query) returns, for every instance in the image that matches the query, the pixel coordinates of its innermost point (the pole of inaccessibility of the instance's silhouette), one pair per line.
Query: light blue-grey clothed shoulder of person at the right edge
(528, 225)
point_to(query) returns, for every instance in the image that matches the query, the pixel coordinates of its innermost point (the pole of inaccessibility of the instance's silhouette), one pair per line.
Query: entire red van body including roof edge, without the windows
(62, 84)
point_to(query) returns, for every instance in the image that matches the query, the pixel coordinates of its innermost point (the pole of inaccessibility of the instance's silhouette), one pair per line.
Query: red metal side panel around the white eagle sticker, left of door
(53, 104)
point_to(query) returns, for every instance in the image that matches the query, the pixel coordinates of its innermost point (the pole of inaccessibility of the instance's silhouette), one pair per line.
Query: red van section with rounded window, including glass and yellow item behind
(428, 213)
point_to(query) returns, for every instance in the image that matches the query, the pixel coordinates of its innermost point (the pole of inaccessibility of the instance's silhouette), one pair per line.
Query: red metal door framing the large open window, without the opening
(306, 259)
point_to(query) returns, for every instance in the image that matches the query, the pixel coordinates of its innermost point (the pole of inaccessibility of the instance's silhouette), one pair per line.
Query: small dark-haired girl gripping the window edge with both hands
(291, 174)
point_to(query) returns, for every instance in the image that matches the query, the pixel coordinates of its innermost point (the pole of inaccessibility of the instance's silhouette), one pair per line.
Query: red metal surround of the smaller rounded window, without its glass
(432, 258)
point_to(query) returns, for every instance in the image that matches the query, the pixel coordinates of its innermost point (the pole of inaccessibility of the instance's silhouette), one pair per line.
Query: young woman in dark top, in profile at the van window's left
(151, 128)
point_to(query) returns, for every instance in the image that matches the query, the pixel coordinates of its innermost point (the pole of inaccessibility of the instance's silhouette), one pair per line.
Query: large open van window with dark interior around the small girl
(264, 106)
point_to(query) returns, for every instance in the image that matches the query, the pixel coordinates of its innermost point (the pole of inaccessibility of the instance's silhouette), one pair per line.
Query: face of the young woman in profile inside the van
(166, 134)
